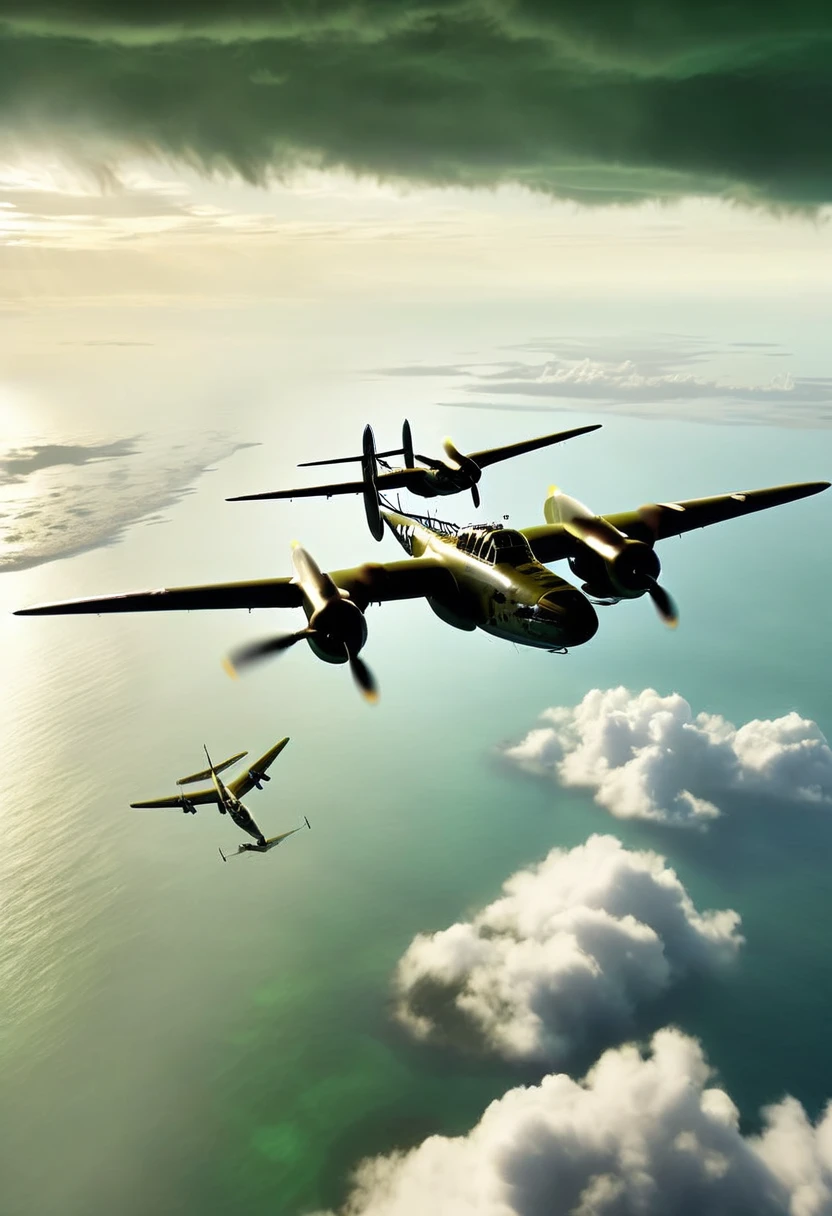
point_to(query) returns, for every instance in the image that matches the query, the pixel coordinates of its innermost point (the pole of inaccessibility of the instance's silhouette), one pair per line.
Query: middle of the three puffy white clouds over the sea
(564, 960)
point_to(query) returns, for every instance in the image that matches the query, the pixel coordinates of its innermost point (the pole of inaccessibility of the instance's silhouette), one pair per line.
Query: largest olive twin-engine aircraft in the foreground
(480, 577)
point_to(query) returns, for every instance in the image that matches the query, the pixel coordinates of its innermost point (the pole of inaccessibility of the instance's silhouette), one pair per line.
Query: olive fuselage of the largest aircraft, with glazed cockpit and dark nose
(498, 586)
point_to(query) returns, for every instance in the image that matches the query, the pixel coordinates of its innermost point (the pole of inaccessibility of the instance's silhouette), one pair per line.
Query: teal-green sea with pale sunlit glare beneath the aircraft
(184, 1037)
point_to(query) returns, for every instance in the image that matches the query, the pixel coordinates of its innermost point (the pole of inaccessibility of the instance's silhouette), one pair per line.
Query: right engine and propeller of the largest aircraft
(634, 564)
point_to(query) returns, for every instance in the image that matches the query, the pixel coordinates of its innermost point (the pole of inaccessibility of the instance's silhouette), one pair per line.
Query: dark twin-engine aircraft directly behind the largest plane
(441, 477)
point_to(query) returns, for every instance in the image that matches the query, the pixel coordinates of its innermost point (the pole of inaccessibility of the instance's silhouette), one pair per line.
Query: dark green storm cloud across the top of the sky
(605, 102)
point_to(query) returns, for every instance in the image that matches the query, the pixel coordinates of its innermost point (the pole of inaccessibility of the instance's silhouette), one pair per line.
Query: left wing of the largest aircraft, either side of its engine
(373, 583)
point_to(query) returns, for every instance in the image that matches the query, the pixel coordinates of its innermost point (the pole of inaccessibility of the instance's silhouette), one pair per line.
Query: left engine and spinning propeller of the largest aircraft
(336, 624)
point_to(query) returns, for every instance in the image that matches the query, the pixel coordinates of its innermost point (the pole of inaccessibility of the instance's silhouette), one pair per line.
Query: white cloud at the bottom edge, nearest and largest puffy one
(638, 1136)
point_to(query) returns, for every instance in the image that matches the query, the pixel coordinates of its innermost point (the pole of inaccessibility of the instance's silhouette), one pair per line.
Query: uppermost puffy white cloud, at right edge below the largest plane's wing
(648, 757)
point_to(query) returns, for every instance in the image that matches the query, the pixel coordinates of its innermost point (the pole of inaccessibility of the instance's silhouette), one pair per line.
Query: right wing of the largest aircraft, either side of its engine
(550, 543)
